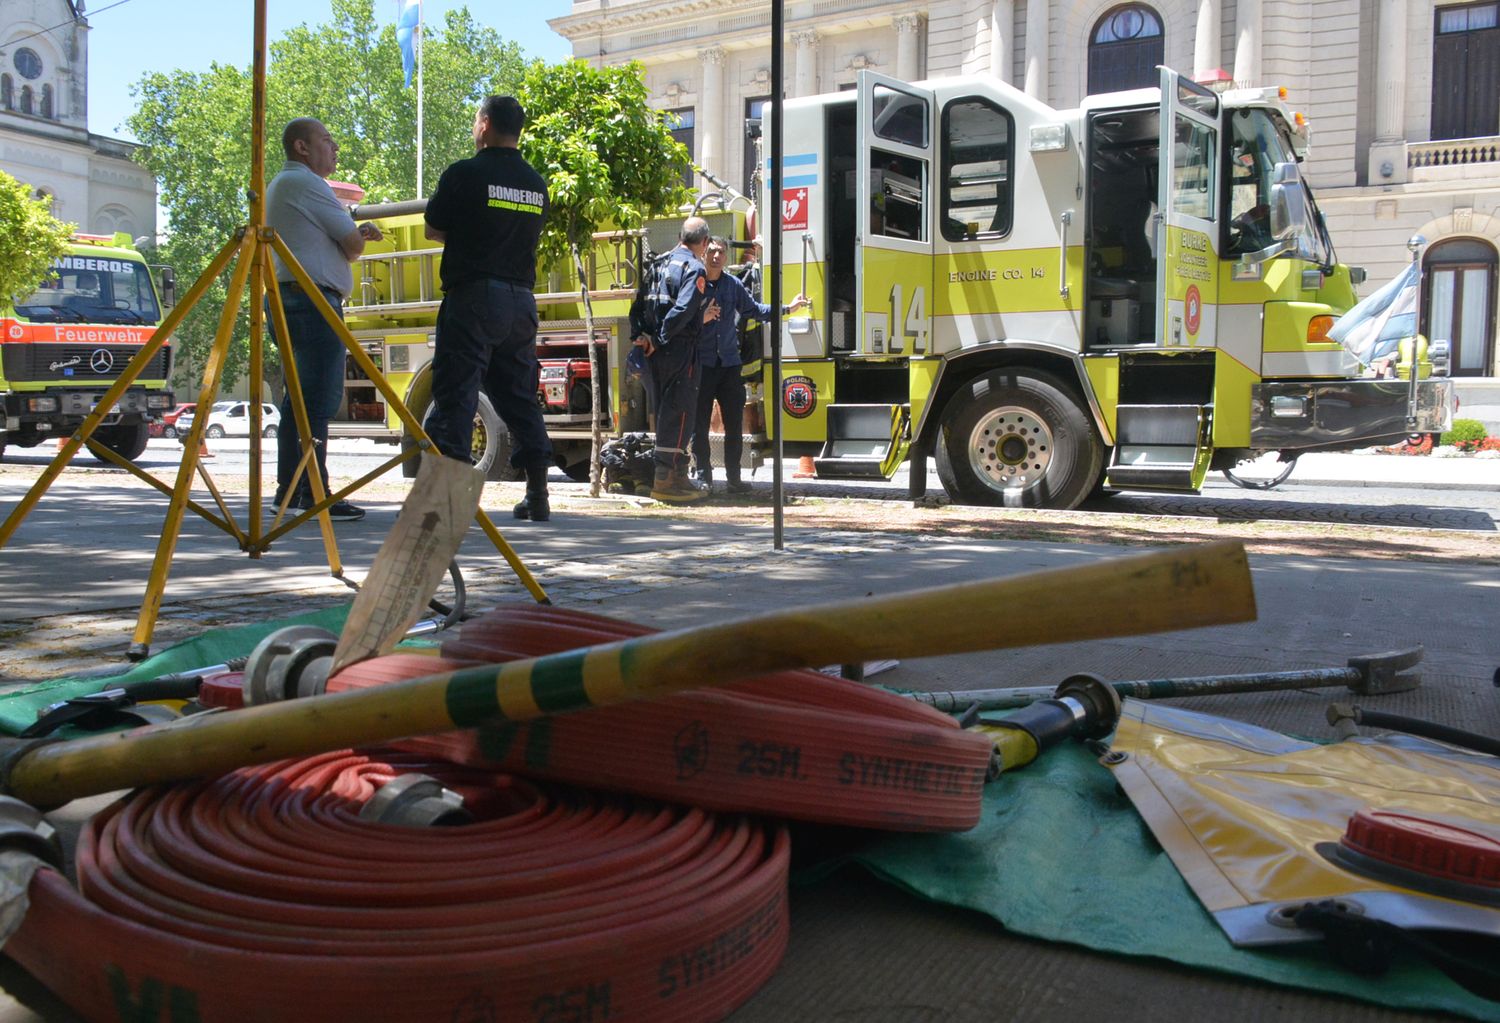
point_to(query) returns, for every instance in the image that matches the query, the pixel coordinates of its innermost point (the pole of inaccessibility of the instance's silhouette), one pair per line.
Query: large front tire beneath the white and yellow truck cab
(1018, 439)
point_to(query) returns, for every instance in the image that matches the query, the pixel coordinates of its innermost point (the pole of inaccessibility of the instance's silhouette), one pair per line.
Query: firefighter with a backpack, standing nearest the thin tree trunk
(682, 313)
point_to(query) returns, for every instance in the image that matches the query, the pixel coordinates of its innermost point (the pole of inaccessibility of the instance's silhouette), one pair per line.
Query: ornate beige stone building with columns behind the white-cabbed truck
(1402, 97)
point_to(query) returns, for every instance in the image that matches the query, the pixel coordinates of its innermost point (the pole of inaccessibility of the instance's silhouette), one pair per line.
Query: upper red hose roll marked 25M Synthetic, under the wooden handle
(794, 745)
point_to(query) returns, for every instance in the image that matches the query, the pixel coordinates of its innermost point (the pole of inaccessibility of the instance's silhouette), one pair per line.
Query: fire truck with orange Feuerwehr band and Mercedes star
(65, 344)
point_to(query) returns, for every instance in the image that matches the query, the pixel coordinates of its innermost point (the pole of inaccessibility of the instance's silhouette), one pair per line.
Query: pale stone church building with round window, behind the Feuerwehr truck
(44, 124)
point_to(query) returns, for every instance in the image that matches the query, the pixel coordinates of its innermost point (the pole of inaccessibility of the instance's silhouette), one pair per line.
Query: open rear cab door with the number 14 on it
(895, 218)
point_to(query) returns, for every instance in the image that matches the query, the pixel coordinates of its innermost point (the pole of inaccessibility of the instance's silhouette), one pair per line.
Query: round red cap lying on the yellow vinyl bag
(1433, 848)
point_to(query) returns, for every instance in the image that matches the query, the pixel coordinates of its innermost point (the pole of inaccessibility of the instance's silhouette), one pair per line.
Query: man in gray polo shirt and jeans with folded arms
(323, 236)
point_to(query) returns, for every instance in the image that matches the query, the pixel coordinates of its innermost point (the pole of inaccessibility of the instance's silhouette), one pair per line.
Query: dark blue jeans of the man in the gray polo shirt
(320, 358)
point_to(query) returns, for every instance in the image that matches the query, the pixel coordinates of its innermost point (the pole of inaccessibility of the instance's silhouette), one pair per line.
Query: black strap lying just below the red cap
(1367, 947)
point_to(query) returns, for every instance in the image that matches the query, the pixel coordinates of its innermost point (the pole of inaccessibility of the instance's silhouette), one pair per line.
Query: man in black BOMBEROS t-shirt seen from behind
(488, 214)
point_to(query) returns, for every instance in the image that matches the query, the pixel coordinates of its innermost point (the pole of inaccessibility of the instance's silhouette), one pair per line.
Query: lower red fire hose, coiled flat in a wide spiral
(263, 896)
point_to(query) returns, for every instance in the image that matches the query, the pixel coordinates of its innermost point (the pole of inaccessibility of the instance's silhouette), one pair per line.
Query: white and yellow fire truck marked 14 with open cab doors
(1048, 304)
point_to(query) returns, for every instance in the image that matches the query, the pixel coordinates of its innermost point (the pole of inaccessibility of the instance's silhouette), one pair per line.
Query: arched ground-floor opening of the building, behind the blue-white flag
(1460, 304)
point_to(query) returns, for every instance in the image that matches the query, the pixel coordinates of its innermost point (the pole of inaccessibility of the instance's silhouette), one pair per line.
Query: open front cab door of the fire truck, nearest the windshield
(1189, 200)
